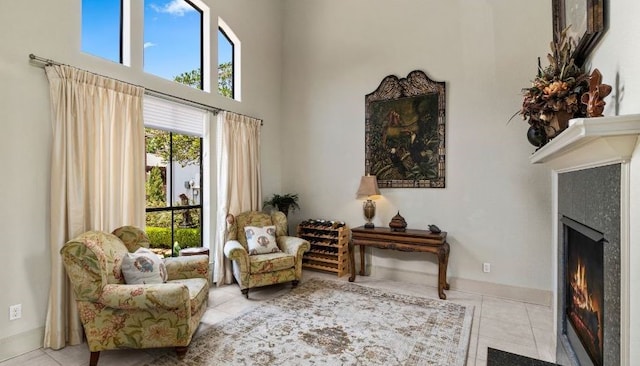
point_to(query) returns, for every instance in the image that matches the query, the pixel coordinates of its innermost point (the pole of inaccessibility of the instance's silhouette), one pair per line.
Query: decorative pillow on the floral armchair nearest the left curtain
(143, 267)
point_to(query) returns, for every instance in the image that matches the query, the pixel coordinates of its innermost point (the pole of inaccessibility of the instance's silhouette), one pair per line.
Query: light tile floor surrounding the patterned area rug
(512, 326)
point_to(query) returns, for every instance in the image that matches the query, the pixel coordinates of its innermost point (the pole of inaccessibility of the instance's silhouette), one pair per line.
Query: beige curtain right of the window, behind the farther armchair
(239, 183)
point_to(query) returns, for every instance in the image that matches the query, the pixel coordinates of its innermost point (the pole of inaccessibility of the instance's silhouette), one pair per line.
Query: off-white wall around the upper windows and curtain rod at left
(51, 29)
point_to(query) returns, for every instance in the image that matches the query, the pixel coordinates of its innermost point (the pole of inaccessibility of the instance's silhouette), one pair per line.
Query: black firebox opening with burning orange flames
(584, 289)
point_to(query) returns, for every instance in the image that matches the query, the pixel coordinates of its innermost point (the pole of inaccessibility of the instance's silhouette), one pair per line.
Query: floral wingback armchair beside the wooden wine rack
(277, 264)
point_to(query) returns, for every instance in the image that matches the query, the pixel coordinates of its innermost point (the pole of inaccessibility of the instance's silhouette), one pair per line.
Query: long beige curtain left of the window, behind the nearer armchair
(97, 175)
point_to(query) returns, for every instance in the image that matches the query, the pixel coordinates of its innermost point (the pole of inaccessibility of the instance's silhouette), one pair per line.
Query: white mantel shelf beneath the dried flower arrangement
(591, 142)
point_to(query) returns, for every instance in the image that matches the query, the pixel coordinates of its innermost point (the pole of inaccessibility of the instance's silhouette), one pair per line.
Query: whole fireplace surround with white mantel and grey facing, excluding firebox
(595, 179)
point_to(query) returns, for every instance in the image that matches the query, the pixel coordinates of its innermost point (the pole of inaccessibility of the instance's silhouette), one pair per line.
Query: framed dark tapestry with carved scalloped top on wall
(405, 132)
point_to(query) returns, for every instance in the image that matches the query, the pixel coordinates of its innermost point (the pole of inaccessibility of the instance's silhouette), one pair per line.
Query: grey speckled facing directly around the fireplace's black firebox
(591, 197)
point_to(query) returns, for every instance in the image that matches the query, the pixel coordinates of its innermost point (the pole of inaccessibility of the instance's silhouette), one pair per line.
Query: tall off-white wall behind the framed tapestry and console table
(496, 207)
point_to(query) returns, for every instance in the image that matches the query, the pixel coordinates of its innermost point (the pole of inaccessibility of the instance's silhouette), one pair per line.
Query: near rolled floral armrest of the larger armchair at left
(169, 296)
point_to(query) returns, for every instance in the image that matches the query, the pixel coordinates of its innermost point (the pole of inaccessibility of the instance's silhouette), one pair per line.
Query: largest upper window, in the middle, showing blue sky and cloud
(173, 41)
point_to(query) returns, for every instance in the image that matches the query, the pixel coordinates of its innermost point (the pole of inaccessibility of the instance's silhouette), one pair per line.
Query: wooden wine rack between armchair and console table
(329, 246)
